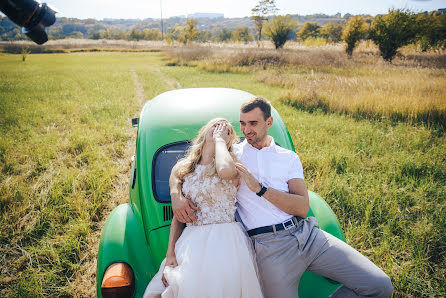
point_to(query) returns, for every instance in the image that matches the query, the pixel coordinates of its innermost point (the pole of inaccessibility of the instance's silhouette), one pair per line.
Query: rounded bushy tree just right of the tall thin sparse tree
(279, 28)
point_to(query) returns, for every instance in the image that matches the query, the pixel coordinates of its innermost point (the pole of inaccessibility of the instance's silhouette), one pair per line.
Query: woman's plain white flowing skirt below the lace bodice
(215, 260)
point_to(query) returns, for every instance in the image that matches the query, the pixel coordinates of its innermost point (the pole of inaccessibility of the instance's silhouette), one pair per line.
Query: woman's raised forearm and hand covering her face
(224, 163)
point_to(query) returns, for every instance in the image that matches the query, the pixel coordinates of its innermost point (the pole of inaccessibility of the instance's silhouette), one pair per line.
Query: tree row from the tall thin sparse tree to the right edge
(397, 28)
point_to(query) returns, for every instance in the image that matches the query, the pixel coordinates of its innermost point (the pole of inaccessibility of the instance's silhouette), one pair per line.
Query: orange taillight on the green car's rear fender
(118, 281)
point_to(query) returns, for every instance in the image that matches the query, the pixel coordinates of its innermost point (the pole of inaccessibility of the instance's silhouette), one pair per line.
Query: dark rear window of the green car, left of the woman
(165, 158)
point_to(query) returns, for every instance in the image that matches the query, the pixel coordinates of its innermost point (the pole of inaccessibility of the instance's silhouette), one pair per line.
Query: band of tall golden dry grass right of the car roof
(380, 92)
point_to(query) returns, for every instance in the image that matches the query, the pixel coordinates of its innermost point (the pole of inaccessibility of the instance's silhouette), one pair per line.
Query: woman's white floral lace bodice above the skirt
(215, 197)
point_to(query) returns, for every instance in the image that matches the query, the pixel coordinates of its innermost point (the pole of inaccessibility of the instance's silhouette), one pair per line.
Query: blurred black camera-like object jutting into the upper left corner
(31, 15)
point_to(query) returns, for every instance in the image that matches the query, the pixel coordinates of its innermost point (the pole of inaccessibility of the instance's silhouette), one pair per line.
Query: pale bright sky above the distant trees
(141, 9)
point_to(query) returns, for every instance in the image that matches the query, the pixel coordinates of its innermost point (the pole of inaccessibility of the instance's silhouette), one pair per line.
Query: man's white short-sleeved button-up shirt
(273, 166)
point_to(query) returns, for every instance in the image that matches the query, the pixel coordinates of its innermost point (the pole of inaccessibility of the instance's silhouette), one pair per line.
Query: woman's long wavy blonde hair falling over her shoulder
(193, 154)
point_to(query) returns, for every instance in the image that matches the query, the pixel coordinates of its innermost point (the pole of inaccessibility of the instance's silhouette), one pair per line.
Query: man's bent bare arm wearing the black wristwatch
(295, 202)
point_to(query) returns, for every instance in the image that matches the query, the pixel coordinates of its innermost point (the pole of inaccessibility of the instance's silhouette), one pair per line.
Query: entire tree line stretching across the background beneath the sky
(389, 32)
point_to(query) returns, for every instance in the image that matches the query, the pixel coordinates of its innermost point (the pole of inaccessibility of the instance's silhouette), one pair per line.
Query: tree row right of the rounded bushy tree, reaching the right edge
(397, 28)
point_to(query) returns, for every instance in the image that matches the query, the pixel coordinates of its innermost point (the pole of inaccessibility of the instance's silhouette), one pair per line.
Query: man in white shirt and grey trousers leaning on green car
(272, 203)
